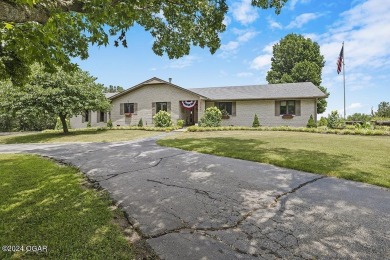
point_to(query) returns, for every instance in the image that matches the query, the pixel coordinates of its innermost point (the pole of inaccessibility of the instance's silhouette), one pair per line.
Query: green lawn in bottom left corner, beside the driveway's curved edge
(45, 204)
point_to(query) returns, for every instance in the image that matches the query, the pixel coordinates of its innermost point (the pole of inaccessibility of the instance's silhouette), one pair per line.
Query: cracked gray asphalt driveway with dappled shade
(195, 206)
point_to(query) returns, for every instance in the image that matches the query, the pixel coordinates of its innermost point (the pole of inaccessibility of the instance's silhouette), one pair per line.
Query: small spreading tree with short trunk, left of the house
(63, 94)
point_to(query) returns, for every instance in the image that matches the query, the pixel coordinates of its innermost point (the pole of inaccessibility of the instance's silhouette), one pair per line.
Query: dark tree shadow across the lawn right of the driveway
(256, 150)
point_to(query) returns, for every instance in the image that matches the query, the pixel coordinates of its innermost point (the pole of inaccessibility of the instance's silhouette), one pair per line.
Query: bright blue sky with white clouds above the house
(245, 54)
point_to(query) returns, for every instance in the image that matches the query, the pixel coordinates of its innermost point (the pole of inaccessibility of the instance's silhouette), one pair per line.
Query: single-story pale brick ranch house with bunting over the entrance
(289, 104)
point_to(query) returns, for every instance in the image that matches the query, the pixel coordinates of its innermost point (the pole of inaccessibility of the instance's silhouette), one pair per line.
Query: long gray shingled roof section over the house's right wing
(272, 91)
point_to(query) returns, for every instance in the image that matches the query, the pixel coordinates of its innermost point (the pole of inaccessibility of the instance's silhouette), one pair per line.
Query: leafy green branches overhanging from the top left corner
(52, 31)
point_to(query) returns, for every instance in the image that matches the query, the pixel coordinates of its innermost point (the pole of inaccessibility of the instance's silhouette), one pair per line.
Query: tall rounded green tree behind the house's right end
(298, 59)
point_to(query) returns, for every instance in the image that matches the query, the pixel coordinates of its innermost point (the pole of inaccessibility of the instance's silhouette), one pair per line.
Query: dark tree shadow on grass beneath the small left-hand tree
(45, 137)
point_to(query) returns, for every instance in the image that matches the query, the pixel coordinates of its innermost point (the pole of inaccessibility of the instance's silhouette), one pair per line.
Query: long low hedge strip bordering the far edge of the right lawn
(385, 132)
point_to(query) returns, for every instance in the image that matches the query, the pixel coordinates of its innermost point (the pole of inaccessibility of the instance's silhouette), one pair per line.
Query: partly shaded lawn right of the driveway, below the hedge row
(358, 158)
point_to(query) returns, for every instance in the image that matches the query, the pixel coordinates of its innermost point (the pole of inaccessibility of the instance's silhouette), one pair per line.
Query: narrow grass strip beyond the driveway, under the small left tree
(78, 136)
